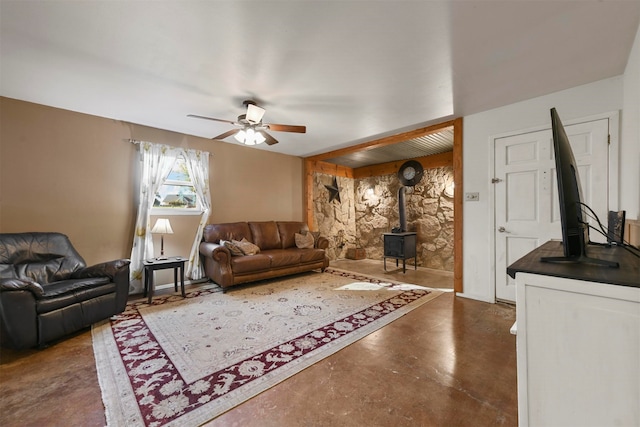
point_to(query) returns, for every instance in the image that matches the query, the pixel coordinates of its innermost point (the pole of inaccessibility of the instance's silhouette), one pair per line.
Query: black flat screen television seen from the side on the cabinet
(575, 230)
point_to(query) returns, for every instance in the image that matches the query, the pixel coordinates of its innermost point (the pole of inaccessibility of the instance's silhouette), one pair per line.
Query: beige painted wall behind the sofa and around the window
(76, 174)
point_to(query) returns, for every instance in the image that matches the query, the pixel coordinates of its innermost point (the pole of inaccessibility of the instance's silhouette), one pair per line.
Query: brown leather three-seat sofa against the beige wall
(278, 254)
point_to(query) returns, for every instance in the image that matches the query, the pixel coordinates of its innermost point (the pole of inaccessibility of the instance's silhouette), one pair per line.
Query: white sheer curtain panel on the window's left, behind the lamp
(156, 162)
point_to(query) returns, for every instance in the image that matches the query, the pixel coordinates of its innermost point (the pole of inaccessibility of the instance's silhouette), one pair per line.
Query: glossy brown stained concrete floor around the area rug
(449, 362)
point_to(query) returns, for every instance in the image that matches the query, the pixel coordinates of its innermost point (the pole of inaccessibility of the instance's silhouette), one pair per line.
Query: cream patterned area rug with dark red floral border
(184, 361)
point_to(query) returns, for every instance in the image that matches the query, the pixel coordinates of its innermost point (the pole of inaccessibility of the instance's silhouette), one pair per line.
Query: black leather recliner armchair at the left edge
(47, 291)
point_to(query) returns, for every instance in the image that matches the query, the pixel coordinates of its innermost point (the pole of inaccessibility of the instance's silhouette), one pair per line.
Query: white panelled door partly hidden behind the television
(526, 194)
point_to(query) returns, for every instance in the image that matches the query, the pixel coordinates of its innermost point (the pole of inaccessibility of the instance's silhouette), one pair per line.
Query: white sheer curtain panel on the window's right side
(198, 167)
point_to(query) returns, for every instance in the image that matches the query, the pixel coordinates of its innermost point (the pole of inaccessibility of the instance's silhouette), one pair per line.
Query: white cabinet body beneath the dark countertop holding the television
(578, 352)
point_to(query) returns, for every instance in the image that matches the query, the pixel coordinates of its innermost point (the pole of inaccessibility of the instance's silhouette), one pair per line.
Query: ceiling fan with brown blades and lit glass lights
(252, 131)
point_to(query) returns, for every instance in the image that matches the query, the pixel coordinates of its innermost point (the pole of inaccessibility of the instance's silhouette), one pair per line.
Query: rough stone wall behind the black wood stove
(369, 208)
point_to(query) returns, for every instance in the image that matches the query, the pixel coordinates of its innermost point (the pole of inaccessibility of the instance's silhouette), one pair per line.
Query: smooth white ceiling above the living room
(350, 71)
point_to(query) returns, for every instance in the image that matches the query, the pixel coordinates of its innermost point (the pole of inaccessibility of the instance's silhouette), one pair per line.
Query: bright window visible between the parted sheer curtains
(177, 196)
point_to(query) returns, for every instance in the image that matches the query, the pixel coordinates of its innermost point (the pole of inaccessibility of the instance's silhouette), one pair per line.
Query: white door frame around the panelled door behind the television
(613, 118)
